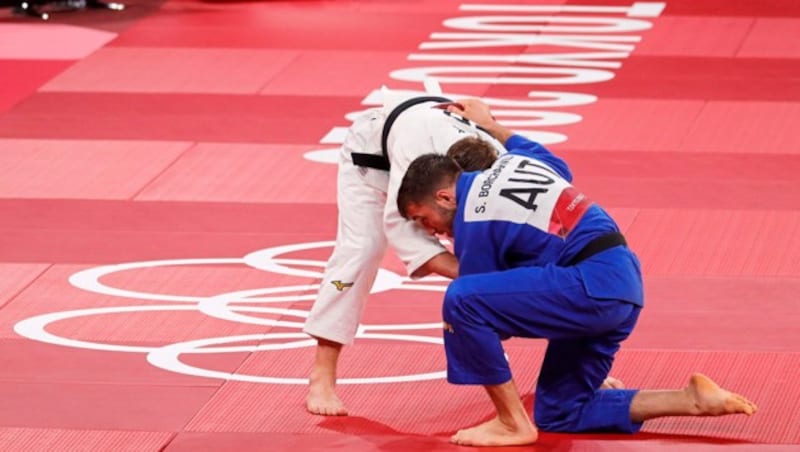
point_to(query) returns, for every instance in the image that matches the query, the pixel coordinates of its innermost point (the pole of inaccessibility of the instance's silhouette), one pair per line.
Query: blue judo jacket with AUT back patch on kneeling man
(523, 211)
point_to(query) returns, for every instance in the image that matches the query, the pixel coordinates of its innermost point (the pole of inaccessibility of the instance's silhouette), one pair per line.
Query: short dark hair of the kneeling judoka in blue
(426, 174)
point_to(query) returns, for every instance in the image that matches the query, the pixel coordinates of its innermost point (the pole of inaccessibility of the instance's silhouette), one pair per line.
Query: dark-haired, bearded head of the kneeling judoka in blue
(427, 194)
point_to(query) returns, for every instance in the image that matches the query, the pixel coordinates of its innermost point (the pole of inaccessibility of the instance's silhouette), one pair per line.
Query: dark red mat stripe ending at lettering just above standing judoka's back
(178, 117)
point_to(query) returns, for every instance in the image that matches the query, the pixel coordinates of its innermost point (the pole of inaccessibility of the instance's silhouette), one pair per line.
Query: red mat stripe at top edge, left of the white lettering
(301, 26)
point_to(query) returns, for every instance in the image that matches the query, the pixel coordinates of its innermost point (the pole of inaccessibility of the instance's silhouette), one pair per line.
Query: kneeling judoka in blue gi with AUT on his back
(538, 259)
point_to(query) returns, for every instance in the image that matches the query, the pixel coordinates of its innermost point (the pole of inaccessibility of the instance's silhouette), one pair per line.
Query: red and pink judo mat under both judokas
(167, 196)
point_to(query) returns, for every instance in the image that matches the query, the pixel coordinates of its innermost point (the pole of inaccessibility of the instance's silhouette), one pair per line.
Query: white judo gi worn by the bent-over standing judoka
(368, 216)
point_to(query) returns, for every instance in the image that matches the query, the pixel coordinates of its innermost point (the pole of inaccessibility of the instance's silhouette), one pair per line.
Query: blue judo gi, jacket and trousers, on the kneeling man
(517, 227)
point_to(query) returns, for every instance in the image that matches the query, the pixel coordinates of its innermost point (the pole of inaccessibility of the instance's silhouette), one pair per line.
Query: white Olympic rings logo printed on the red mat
(168, 357)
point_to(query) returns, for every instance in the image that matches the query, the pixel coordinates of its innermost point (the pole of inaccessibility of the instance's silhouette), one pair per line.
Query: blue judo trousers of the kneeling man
(548, 302)
